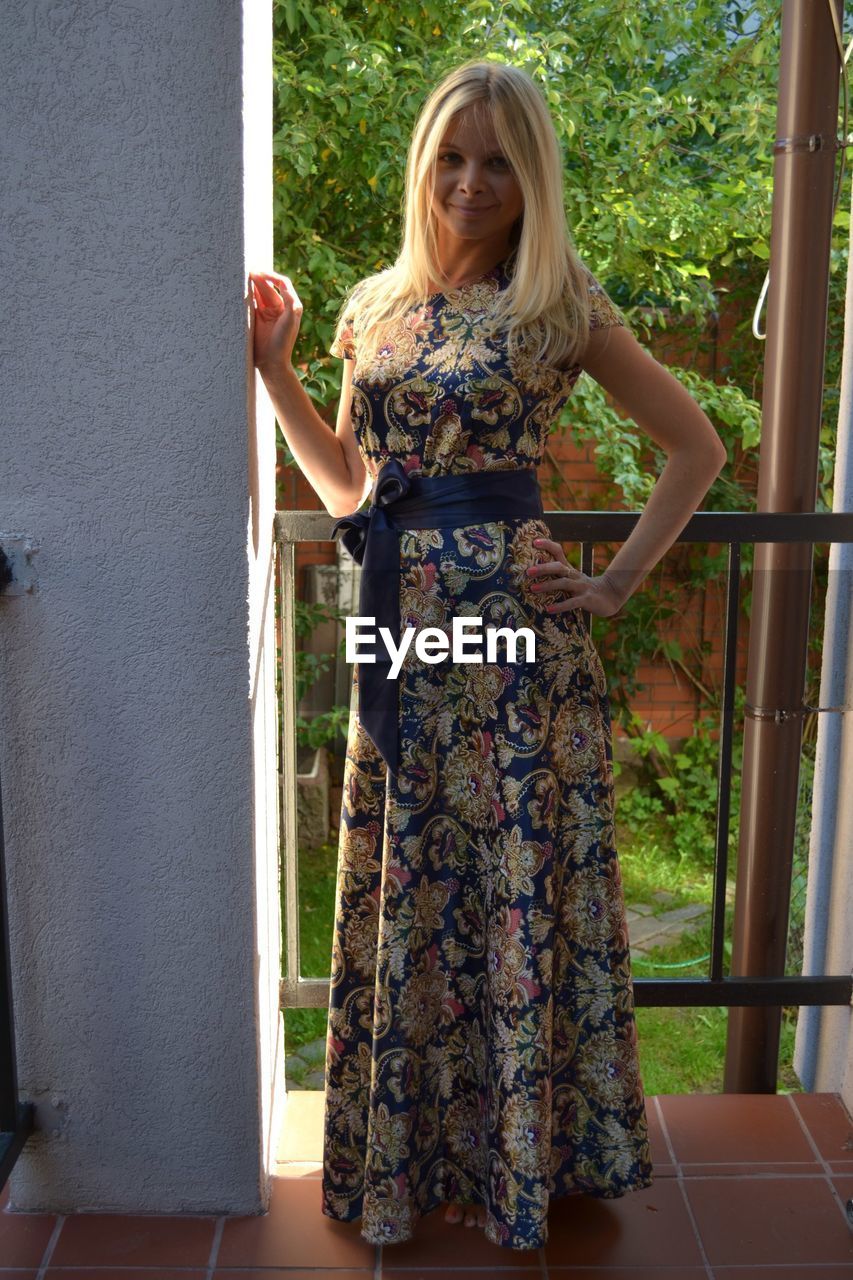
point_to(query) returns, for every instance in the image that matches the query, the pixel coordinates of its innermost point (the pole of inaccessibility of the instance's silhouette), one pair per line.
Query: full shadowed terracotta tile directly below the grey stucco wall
(134, 1241)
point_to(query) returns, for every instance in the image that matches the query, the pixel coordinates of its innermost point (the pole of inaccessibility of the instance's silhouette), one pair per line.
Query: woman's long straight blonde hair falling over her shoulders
(548, 296)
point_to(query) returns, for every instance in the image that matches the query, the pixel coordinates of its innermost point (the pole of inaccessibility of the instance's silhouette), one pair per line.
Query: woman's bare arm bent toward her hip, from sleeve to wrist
(667, 412)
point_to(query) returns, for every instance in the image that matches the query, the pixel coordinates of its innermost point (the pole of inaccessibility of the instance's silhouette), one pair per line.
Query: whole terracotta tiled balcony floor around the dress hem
(747, 1186)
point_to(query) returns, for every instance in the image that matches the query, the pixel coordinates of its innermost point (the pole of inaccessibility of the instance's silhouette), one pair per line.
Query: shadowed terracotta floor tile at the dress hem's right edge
(644, 1229)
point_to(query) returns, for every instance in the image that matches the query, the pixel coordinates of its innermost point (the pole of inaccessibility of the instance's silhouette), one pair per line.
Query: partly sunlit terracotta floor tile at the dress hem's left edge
(295, 1233)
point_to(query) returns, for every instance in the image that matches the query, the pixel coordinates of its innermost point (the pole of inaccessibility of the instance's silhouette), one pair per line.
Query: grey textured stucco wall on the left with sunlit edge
(138, 748)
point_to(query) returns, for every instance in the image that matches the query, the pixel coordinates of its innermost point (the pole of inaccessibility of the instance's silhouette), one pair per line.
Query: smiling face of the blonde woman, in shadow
(473, 175)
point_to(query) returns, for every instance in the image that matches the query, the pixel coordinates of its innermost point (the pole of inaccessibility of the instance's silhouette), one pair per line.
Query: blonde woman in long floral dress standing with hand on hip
(482, 1045)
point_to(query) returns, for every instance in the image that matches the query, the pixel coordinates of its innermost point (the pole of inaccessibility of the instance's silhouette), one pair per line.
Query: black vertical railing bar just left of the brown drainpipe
(724, 766)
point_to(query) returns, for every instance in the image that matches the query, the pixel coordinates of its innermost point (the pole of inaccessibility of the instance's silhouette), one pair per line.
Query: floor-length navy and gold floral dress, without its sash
(482, 1044)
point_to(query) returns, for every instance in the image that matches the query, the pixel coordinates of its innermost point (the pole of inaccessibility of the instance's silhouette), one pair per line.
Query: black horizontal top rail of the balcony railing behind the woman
(713, 527)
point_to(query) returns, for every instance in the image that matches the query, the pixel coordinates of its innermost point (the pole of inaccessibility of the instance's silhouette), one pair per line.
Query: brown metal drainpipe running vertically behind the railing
(793, 383)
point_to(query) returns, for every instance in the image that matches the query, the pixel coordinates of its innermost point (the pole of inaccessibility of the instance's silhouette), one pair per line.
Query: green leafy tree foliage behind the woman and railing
(667, 116)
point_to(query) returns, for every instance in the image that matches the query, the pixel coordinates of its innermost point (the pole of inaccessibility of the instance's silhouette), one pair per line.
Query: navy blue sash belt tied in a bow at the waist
(372, 538)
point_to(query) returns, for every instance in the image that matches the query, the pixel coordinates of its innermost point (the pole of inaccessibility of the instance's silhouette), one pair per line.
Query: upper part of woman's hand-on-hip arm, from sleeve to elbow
(649, 392)
